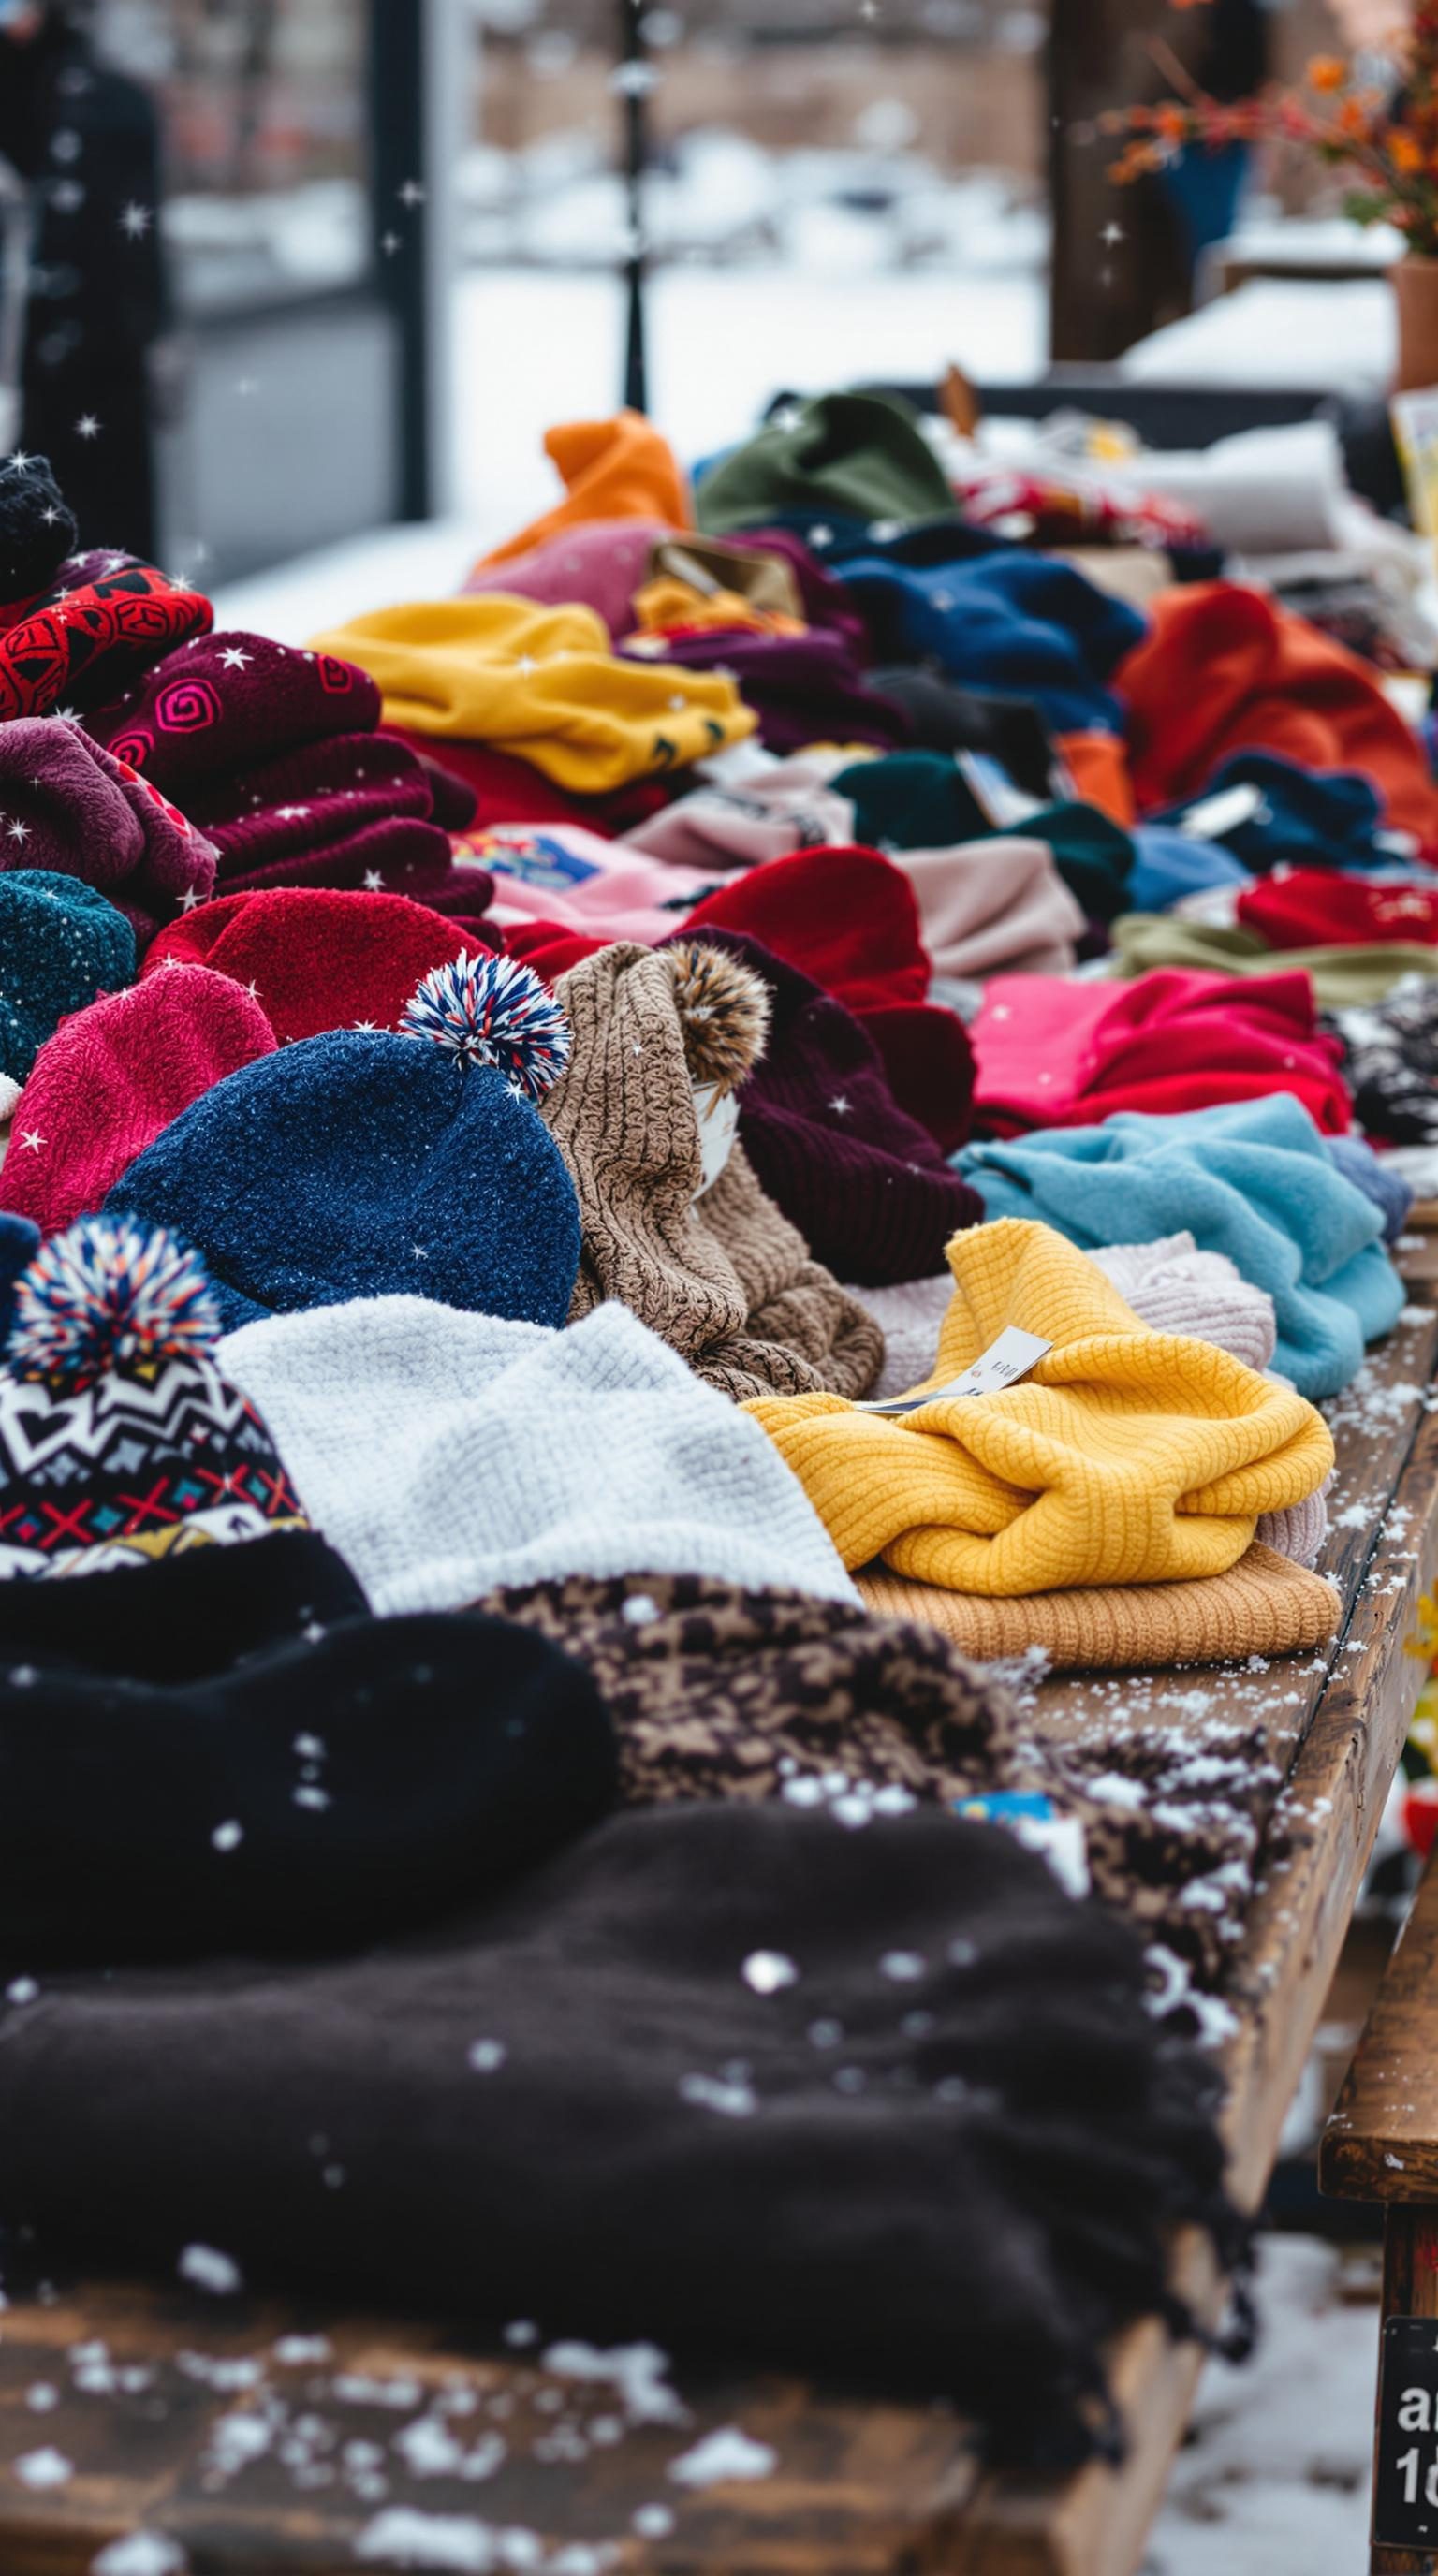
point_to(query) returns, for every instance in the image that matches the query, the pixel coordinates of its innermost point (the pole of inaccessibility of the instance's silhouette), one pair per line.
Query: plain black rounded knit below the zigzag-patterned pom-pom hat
(225, 1750)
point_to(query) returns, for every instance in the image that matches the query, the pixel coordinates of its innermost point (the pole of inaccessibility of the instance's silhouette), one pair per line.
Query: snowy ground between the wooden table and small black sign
(1274, 2479)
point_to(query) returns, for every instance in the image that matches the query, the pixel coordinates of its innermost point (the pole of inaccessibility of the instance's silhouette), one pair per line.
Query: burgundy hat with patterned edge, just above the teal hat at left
(76, 810)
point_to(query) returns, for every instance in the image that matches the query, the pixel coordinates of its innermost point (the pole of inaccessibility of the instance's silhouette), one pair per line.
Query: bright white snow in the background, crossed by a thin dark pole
(532, 349)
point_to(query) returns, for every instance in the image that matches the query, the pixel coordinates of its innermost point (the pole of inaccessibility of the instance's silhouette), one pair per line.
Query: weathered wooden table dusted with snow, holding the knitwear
(189, 2423)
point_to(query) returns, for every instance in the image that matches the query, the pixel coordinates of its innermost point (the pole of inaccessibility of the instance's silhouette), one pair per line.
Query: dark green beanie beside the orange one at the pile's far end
(857, 455)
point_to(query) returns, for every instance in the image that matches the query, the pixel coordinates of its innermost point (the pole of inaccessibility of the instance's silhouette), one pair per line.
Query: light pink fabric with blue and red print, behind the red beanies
(563, 875)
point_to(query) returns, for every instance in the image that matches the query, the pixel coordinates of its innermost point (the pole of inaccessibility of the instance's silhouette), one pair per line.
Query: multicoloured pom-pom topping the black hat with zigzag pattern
(110, 1297)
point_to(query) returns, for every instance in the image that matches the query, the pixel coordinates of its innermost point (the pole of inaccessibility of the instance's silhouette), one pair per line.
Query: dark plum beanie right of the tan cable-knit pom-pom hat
(865, 1184)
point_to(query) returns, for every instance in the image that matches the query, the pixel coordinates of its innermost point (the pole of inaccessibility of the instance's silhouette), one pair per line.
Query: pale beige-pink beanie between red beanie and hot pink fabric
(993, 908)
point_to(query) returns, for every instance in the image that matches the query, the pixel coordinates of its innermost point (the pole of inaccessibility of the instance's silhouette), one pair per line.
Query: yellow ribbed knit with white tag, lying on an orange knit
(1127, 1457)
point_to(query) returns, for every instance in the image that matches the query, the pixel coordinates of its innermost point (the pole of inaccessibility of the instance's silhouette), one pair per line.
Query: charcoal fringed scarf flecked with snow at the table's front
(733, 2078)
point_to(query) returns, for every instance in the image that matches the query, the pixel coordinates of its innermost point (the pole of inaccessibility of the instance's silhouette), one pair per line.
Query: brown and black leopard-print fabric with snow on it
(723, 1694)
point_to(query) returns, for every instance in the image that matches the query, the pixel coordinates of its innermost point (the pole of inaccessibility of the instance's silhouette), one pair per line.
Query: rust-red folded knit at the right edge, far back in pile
(1225, 671)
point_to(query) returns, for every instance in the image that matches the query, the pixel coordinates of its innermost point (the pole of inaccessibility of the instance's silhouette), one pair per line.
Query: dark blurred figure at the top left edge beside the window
(86, 146)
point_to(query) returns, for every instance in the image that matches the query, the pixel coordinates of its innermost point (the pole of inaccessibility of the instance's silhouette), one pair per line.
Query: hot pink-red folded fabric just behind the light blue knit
(1073, 1055)
